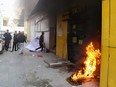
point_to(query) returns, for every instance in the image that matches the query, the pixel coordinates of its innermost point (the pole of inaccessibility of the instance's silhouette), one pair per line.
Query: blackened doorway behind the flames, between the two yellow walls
(84, 26)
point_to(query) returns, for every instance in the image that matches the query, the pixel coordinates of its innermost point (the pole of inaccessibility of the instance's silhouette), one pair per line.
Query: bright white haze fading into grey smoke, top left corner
(13, 9)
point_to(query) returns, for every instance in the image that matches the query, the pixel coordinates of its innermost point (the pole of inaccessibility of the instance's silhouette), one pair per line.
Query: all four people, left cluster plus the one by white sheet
(18, 41)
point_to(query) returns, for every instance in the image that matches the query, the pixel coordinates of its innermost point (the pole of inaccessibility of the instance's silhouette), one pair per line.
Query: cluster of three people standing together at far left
(18, 41)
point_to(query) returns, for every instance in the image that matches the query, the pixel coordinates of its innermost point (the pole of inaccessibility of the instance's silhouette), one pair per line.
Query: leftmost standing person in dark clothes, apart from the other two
(8, 38)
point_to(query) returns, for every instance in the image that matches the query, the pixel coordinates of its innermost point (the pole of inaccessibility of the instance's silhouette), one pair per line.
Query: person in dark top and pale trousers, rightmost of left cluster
(21, 40)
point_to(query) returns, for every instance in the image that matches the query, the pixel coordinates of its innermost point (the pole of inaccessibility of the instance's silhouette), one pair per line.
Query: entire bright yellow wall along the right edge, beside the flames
(108, 60)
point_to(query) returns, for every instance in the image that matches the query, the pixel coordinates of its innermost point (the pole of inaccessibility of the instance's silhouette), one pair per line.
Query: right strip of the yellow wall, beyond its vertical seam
(112, 59)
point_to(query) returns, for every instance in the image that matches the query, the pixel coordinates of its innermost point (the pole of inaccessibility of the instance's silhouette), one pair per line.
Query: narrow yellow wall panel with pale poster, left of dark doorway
(61, 38)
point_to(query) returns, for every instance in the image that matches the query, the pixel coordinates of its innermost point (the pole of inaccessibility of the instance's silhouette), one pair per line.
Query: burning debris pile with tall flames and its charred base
(88, 72)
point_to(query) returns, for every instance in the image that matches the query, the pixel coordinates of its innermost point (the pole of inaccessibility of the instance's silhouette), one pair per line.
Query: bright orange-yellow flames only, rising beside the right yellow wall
(90, 64)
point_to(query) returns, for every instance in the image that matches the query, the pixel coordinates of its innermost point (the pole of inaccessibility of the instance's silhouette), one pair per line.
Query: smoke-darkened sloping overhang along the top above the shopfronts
(60, 5)
